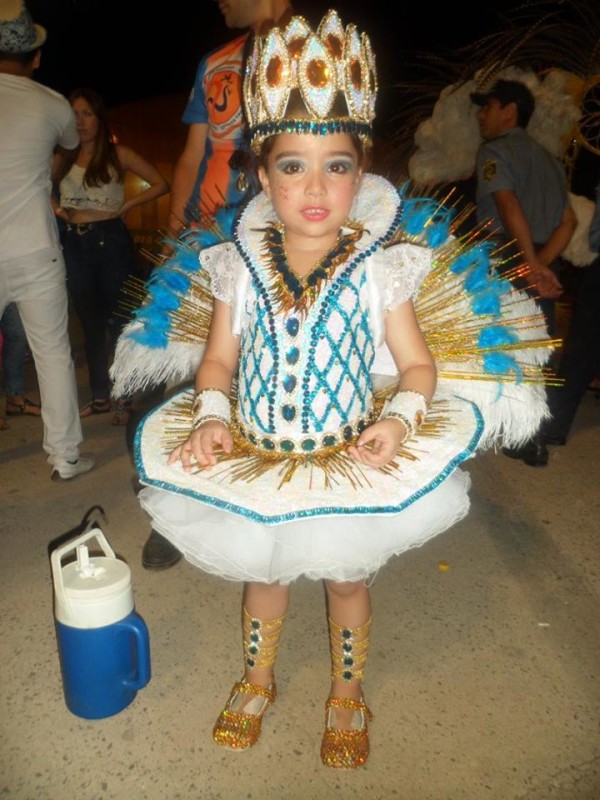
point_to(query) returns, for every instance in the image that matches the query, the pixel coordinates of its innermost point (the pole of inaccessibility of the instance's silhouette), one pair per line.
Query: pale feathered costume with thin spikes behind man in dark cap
(554, 48)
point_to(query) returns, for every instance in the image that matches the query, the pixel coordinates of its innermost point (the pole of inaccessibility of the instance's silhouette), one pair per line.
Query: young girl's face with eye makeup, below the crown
(311, 182)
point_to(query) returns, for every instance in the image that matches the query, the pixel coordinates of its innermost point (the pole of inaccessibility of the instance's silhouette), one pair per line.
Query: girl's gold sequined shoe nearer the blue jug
(239, 729)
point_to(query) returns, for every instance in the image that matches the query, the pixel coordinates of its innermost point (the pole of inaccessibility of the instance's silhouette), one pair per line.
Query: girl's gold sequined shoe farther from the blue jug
(342, 748)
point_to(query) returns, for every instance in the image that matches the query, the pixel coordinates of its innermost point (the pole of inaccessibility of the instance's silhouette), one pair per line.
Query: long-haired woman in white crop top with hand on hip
(99, 250)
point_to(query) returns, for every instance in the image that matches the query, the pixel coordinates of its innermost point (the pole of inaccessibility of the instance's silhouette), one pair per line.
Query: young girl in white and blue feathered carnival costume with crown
(333, 306)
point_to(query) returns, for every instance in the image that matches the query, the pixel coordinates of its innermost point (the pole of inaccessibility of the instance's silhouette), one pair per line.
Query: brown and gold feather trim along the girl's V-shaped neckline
(291, 292)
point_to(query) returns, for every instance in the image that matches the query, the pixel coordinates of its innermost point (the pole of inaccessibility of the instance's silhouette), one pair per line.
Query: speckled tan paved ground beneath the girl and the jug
(484, 679)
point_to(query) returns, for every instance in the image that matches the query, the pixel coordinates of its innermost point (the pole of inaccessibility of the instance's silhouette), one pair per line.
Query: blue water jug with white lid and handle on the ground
(103, 644)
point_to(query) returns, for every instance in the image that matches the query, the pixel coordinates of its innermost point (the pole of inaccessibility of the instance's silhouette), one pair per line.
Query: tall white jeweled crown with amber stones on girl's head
(299, 81)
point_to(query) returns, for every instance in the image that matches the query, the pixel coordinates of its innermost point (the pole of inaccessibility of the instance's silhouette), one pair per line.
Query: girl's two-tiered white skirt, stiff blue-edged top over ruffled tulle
(266, 532)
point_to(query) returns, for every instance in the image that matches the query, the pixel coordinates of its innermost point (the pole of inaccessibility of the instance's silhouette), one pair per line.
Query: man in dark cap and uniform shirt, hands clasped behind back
(522, 193)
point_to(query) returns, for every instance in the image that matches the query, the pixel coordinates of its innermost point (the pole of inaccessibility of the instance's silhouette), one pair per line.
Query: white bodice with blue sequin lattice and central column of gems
(307, 375)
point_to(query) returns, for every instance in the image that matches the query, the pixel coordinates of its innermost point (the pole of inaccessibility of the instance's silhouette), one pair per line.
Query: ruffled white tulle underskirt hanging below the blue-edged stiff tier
(344, 548)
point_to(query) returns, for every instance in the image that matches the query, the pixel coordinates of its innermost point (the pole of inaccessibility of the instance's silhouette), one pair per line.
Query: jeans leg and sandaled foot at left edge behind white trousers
(14, 355)
